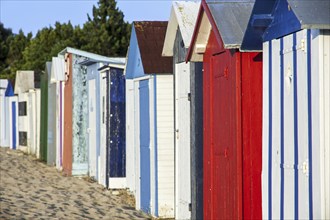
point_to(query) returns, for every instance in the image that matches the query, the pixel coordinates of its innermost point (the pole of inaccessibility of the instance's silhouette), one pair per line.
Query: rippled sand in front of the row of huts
(30, 189)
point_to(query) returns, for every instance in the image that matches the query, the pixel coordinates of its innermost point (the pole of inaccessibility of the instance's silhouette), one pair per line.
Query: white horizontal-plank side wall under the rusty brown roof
(165, 145)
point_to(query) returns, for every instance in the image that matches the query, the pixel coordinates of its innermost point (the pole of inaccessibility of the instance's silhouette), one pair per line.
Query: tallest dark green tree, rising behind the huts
(106, 33)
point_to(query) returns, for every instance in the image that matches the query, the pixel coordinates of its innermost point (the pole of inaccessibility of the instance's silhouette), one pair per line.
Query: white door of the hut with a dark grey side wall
(182, 141)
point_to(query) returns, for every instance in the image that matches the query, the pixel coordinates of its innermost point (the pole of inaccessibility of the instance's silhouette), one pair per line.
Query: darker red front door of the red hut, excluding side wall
(222, 110)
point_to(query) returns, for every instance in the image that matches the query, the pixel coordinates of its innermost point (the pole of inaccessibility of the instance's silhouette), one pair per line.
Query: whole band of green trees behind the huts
(106, 33)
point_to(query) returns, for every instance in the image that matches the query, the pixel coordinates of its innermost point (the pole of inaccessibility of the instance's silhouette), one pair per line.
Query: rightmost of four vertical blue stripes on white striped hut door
(310, 145)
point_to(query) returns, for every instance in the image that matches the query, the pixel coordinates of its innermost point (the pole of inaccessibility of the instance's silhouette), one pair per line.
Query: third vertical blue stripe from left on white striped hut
(295, 116)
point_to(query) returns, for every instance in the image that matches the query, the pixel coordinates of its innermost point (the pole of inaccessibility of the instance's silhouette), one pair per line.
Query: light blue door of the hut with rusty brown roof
(144, 145)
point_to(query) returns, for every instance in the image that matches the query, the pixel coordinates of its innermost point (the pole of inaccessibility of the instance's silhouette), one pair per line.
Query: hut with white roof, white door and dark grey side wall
(188, 141)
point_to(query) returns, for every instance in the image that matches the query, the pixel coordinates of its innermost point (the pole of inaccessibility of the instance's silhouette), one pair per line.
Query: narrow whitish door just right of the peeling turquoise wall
(92, 129)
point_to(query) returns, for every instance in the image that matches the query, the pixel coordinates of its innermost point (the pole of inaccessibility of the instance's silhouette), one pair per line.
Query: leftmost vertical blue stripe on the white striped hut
(270, 139)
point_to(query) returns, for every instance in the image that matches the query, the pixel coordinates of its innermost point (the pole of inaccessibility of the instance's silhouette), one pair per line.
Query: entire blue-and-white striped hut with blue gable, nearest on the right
(295, 39)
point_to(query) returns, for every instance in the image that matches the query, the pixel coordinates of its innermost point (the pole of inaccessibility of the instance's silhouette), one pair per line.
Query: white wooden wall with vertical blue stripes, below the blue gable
(296, 126)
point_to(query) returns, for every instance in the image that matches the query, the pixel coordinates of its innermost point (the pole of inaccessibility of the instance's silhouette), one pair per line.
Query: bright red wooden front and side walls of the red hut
(232, 133)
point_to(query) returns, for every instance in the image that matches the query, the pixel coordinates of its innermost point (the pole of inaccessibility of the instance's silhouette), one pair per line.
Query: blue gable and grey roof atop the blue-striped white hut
(276, 18)
